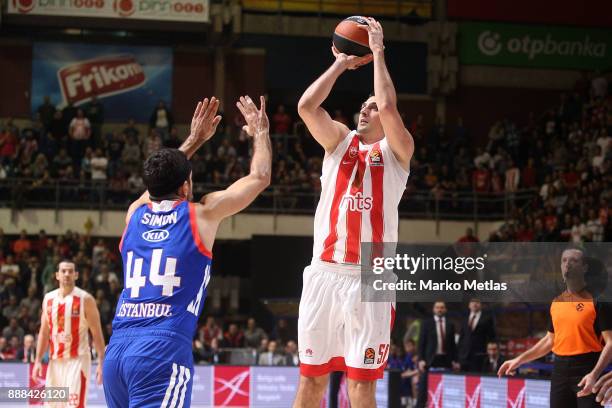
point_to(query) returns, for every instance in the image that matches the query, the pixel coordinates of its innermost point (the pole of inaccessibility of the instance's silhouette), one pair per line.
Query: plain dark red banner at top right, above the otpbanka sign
(589, 13)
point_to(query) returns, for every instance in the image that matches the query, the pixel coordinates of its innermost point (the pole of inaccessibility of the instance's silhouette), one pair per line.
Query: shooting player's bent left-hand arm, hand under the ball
(327, 132)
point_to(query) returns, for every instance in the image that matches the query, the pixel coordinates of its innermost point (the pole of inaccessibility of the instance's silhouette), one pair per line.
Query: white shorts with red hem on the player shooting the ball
(336, 330)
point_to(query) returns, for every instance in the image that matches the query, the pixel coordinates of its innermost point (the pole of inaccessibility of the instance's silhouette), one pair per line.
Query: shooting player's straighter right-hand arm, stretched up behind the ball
(399, 138)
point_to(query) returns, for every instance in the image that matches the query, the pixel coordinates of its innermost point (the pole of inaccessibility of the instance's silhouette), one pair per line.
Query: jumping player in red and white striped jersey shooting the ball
(364, 176)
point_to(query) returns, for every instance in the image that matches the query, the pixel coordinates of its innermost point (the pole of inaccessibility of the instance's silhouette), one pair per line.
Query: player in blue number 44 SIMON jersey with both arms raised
(166, 251)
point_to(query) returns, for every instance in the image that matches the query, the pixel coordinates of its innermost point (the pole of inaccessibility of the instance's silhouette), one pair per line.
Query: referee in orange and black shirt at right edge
(578, 329)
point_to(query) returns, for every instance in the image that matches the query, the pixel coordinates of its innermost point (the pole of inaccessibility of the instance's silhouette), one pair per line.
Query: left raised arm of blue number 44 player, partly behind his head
(203, 126)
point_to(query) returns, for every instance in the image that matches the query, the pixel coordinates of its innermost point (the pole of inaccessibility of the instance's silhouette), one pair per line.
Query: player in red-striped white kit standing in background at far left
(68, 313)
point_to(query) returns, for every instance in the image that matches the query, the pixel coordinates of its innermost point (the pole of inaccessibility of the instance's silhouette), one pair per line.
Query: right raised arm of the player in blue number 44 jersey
(240, 194)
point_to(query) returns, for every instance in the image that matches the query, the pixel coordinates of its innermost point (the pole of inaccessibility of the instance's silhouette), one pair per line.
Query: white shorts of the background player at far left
(72, 373)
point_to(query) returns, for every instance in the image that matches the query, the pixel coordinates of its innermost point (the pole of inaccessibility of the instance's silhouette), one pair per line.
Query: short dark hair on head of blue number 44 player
(165, 171)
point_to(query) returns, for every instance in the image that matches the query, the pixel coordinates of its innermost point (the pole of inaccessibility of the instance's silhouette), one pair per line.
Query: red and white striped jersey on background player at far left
(68, 329)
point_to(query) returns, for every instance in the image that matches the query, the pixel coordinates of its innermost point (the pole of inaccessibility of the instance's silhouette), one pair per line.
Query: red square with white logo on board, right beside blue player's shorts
(232, 386)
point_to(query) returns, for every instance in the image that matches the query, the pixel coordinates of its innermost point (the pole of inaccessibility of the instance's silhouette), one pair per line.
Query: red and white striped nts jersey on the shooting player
(361, 187)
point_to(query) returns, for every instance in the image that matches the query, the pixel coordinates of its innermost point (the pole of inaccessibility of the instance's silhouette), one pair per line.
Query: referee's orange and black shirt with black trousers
(577, 321)
